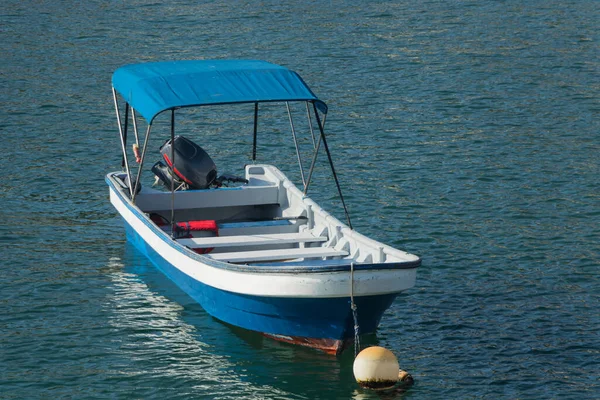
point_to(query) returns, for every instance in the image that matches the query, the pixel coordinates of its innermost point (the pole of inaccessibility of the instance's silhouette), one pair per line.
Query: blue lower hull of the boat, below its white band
(325, 323)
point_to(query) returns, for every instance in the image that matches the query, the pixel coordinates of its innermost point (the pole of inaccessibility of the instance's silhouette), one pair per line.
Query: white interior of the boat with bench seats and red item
(266, 221)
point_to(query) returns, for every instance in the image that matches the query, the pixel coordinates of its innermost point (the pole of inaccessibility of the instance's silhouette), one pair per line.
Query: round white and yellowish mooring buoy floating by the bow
(376, 368)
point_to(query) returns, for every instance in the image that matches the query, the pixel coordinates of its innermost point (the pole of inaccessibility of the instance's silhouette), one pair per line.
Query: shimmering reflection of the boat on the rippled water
(162, 331)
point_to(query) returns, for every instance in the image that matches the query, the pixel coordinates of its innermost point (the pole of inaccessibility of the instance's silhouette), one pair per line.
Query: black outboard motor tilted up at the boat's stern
(193, 169)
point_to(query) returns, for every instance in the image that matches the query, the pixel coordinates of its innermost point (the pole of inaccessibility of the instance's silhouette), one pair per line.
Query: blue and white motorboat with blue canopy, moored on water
(254, 250)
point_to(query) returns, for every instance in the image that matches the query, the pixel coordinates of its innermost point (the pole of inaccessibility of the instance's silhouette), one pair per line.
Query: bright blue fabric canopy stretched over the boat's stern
(151, 88)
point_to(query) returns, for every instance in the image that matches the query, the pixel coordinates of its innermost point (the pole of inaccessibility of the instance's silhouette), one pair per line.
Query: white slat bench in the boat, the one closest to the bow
(280, 254)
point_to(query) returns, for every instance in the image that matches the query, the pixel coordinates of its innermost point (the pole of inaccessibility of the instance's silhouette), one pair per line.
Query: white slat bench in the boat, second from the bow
(251, 240)
